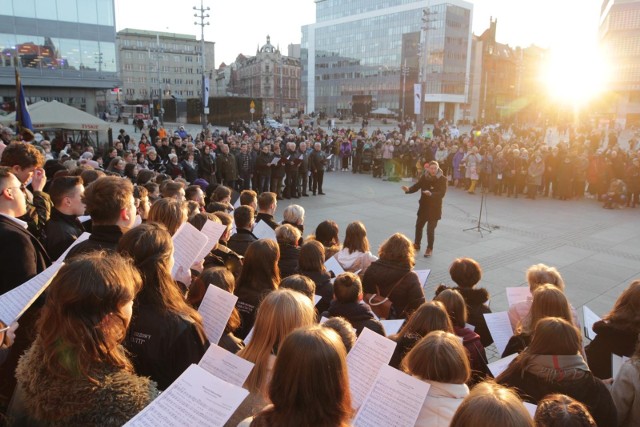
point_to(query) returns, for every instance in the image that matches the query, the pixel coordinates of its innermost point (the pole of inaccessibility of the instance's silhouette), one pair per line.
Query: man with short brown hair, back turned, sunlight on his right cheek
(110, 202)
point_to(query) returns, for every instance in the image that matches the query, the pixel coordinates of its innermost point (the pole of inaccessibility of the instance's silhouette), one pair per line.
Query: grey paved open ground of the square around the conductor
(596, 250)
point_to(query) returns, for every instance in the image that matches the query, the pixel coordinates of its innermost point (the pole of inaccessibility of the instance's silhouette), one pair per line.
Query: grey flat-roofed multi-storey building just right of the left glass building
(157, 63)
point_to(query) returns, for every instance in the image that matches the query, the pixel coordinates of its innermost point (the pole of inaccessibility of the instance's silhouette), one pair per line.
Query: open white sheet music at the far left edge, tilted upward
(15, 302)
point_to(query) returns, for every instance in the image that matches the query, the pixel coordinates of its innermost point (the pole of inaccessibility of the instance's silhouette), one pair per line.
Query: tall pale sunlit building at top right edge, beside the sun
(620, 38)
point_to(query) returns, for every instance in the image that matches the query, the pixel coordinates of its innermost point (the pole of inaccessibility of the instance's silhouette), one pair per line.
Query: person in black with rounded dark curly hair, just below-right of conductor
(466, 273)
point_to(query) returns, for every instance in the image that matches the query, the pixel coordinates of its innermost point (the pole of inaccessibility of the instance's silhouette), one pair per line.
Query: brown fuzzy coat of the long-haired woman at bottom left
(116, 398)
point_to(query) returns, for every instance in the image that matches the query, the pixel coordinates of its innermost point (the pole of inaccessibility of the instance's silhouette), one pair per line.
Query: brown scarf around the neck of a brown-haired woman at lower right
(554, 368)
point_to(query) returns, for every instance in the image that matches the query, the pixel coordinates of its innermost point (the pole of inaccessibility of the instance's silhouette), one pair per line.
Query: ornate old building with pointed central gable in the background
(270, 76)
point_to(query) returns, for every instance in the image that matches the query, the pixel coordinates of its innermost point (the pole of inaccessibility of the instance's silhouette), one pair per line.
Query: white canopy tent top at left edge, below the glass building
(55, 115)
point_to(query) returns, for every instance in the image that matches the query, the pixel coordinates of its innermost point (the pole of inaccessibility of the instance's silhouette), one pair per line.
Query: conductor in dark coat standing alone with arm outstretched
(433, 186)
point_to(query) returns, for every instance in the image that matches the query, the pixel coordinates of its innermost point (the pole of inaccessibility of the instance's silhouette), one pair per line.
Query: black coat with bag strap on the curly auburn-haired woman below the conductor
(406, 297)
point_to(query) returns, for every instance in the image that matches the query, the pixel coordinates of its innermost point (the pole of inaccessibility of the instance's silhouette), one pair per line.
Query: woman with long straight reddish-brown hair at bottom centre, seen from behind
(310, 385)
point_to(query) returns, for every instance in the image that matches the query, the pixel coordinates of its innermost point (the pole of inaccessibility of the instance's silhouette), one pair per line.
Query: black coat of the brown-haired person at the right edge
(610, 339)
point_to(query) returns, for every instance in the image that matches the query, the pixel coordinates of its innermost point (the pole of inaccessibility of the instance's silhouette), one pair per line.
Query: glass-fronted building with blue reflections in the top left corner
(65, 50)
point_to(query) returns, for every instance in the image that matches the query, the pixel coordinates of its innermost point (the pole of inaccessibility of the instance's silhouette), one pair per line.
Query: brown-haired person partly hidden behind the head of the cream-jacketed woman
(430, 316)
